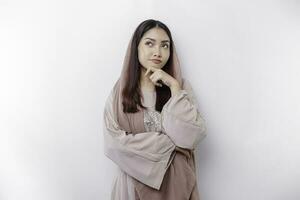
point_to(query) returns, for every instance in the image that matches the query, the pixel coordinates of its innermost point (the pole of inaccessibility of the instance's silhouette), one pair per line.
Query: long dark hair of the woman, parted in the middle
(131, 92)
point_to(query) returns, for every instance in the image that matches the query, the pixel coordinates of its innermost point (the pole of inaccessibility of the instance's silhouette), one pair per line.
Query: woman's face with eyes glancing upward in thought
(154, 48)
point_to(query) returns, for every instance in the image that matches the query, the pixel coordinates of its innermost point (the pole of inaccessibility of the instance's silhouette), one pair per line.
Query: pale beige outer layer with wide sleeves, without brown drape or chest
(146, 156)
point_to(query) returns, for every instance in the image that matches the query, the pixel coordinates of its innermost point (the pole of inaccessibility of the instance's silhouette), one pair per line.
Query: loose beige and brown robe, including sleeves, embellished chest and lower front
(158, 163)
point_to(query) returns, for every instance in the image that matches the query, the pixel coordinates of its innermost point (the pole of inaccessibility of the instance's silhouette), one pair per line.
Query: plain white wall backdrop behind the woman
(60, 59)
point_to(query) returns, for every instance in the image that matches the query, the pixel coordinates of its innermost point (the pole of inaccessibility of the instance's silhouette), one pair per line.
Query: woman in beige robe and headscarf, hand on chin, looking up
(152, 124)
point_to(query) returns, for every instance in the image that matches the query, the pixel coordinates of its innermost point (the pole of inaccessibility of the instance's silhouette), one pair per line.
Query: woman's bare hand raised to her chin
(168, 80)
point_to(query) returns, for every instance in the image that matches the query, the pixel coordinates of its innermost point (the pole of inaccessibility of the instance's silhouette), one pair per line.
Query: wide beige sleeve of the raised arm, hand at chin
(181, 119)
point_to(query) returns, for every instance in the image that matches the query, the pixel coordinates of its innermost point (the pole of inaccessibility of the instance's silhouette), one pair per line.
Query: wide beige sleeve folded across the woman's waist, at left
(144, 156)
